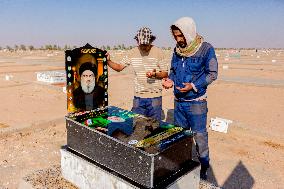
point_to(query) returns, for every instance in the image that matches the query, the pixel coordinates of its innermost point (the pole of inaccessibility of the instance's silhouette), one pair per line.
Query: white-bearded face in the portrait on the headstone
(88, 81)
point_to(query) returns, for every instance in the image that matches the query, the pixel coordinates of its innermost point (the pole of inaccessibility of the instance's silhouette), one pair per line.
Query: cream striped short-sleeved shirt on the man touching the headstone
(146, 87)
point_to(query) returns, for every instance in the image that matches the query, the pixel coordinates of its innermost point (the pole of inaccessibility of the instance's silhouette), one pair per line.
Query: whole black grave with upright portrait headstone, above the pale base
(146, 151)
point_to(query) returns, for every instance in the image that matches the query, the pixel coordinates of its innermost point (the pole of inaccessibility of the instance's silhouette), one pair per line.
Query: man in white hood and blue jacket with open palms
(194, 66)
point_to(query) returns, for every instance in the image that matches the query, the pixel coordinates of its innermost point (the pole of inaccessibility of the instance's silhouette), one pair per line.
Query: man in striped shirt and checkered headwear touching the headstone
(149, 68)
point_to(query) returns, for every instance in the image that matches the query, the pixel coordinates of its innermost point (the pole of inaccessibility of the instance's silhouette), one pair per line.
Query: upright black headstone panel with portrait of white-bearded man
(87, 79)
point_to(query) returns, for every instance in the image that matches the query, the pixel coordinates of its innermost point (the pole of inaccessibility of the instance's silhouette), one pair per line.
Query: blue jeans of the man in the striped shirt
(150, 107)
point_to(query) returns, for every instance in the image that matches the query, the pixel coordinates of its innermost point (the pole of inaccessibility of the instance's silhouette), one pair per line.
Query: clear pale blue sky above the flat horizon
(223, 23)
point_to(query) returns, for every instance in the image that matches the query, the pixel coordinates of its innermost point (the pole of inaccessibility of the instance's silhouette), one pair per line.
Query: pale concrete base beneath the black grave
(87, 174)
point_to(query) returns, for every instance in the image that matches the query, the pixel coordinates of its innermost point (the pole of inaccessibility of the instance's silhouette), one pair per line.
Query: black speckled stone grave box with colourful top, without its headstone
(139, 148)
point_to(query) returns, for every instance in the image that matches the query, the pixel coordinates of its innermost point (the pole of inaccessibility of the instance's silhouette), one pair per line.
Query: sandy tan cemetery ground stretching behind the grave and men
(249, 92)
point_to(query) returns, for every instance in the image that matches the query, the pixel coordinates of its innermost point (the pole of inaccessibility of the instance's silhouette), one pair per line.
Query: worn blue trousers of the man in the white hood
(193, 115)
